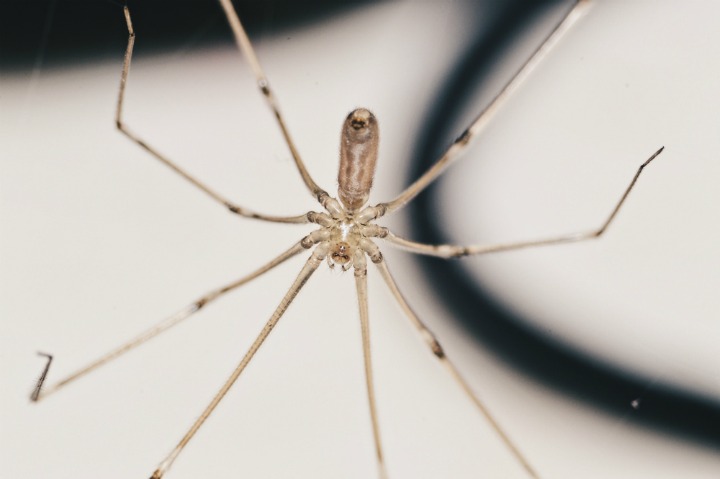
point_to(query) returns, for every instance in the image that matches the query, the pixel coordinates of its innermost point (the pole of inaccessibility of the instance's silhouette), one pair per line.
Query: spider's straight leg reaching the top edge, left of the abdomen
(243, 43)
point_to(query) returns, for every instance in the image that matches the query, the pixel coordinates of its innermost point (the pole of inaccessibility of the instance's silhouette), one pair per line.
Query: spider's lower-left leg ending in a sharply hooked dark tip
(164, 325)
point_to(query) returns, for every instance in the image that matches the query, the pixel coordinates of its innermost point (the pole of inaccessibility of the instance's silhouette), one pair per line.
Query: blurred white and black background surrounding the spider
(599, 359)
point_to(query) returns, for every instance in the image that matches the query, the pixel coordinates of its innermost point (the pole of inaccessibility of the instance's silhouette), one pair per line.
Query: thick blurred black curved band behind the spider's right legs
(663, 407)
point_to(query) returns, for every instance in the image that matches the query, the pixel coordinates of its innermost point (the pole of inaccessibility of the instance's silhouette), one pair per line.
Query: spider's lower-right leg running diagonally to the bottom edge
(438, 351)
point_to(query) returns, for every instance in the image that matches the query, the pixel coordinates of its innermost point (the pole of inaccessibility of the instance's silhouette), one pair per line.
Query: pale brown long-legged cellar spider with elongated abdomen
(346, 234)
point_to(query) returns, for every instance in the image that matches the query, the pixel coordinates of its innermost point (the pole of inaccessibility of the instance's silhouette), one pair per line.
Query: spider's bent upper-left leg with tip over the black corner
(166, 161)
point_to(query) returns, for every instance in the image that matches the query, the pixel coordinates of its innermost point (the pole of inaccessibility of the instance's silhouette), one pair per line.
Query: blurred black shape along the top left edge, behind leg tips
(56, 32)
